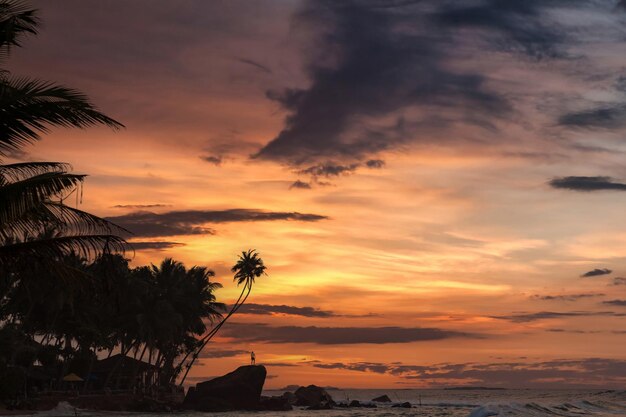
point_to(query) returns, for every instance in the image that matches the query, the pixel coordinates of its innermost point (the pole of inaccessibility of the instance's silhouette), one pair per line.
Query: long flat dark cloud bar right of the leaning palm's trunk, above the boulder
(336, 335)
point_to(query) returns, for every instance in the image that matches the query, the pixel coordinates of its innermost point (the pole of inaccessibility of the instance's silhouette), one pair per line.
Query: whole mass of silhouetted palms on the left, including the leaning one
(68, 295)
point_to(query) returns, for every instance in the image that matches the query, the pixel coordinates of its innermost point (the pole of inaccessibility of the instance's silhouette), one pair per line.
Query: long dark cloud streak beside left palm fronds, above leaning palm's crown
(192, 222)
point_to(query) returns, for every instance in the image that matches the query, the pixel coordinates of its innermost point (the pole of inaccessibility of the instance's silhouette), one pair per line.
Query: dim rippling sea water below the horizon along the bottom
(438, 403)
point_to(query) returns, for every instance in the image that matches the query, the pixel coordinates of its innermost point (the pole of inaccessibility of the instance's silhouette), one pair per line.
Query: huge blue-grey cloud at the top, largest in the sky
(371, 62)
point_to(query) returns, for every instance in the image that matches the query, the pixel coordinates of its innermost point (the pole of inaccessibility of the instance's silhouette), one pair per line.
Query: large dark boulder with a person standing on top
(238, 390)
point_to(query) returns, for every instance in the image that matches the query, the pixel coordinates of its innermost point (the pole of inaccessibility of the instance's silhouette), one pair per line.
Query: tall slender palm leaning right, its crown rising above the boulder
(248, 267)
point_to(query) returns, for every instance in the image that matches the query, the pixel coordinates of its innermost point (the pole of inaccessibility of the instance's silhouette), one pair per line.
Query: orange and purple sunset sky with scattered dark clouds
(437, 187)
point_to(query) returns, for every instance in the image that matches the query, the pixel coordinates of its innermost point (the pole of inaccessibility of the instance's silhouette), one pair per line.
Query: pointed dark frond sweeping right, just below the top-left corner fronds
(29, 107)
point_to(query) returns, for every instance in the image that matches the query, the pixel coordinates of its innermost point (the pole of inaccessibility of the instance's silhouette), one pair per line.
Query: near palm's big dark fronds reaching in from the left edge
(32, 193)
